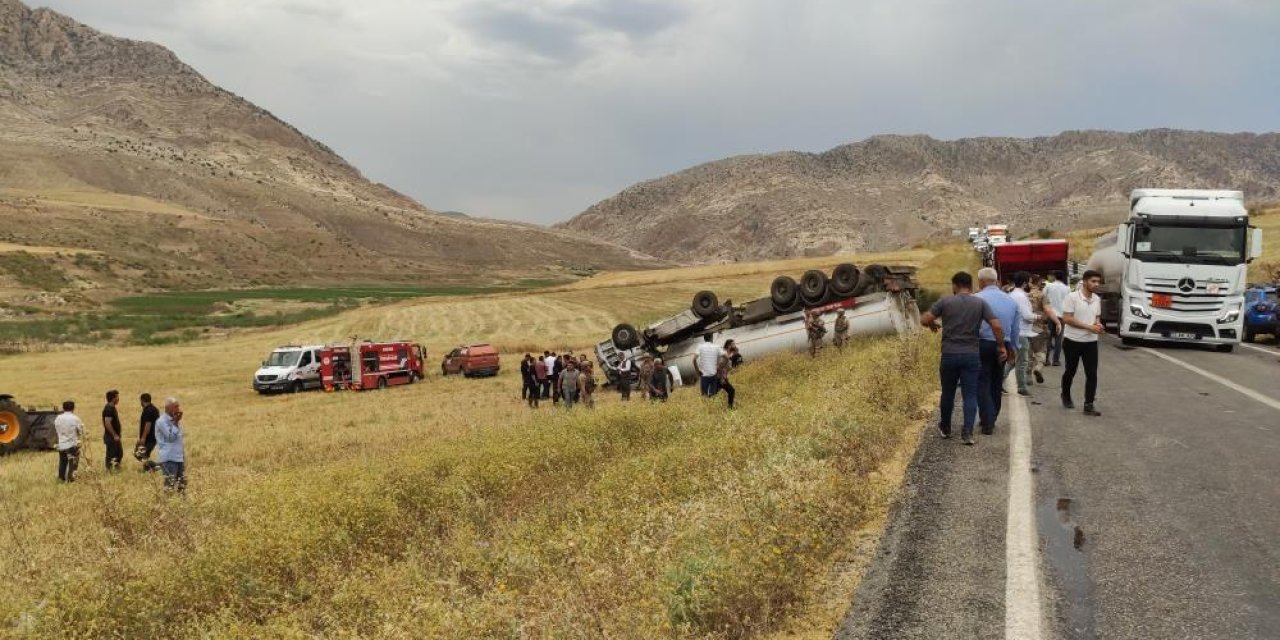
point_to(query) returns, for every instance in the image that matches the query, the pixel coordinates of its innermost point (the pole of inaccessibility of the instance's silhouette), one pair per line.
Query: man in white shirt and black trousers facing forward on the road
(1082, 316)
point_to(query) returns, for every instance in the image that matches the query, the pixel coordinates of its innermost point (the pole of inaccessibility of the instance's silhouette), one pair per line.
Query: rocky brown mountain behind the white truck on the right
(895, 191)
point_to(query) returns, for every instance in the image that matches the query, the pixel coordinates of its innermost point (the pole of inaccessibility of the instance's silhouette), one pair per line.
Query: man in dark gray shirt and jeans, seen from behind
(962, 316)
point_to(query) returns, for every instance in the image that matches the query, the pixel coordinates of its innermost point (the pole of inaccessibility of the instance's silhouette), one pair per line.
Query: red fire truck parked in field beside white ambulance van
(371, 365)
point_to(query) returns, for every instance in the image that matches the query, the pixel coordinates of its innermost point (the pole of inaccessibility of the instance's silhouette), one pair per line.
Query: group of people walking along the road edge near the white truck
(991, 332)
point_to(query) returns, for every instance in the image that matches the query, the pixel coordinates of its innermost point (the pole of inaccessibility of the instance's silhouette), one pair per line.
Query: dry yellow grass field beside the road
(449, 509)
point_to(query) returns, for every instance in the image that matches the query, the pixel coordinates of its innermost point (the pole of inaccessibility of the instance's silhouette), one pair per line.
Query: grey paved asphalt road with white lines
(1159, 520)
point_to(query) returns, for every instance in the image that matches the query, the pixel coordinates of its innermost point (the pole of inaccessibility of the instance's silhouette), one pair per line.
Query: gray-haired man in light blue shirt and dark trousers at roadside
(994, 355)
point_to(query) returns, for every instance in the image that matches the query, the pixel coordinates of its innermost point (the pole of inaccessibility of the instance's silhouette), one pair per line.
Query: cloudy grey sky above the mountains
(536, 109)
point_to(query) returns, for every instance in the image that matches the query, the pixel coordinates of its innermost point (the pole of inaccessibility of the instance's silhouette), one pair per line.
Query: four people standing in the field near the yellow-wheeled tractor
(158, 432)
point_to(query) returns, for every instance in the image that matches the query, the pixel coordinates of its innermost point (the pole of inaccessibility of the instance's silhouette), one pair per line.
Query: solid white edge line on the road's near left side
(1023, 612)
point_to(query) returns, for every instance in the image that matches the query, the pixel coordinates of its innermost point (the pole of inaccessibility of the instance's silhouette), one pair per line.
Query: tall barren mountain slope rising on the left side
(122, 168)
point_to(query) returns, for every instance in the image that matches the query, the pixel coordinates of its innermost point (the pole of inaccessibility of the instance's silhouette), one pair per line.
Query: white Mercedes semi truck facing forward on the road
(1177, 268)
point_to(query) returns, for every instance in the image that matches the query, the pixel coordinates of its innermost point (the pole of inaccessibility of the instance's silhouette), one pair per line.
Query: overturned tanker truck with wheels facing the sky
(877, 301)
